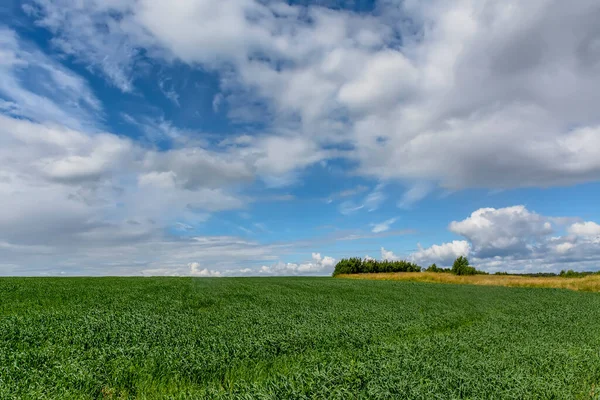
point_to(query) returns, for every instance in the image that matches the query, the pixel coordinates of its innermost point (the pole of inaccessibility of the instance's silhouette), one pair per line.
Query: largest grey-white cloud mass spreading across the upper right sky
(412, 110)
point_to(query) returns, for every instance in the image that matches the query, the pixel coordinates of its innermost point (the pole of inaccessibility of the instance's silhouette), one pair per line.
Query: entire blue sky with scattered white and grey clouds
(246, 137)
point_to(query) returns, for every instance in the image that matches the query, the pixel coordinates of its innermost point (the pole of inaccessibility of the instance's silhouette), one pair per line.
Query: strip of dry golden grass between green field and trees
(590, 283)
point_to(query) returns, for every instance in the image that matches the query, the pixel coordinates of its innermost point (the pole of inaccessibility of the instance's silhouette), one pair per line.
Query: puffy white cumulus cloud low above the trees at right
(515, 239)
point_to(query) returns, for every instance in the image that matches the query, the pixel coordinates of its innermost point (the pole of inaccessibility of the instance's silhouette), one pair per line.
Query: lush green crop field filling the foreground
(278, 338)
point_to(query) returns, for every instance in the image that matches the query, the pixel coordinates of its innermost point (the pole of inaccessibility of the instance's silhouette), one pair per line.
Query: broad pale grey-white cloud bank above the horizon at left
(104, 210)
